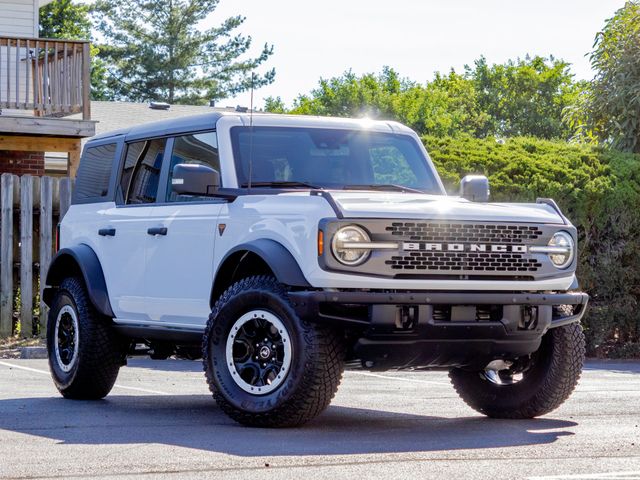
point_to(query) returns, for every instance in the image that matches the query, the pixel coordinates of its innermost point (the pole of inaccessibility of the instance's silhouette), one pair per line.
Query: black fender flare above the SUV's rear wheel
(83, 258)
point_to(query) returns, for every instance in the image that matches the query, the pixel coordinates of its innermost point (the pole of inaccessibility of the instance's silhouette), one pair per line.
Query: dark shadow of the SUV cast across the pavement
(194, 421)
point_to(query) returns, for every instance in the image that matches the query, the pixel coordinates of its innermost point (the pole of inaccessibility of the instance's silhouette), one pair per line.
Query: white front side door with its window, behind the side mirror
(179, 257)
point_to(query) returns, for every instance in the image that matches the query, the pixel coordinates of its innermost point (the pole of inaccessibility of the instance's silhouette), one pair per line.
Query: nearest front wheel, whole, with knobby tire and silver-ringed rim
(265, 366)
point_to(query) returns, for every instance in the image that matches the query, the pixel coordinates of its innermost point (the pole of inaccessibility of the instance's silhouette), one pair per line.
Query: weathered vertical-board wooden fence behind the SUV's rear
(30, 209)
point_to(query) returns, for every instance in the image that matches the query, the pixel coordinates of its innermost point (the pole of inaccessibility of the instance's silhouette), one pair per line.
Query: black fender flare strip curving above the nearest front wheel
(283, 265)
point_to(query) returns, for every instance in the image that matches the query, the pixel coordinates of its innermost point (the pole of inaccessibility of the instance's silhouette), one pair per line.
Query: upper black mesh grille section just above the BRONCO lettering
(464, 232)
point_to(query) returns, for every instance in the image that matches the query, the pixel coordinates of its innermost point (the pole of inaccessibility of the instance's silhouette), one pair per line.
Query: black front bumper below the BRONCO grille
(440, 329)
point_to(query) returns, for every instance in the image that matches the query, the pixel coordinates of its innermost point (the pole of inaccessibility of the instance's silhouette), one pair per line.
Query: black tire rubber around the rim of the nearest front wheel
(316, 367)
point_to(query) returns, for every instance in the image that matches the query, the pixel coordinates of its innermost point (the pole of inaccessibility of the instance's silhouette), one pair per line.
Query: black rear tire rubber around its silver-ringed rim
(100, 350)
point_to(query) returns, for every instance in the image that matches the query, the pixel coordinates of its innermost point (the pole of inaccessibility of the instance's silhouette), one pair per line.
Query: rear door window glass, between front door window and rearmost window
(141, 173)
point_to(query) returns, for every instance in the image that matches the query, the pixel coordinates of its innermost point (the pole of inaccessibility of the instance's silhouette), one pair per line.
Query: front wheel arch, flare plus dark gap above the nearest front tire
(258, 257)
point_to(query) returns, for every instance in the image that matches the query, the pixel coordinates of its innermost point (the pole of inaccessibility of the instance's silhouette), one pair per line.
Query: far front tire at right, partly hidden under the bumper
(549, 382)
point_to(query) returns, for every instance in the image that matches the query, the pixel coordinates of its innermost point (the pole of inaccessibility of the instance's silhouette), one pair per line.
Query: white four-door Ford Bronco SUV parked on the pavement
(282, 248)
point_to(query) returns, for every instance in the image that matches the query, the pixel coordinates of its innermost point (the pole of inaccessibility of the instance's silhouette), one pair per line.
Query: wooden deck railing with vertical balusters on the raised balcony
(51, 77)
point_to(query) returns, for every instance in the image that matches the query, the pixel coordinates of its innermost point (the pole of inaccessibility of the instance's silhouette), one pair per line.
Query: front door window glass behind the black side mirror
(199, 149)
